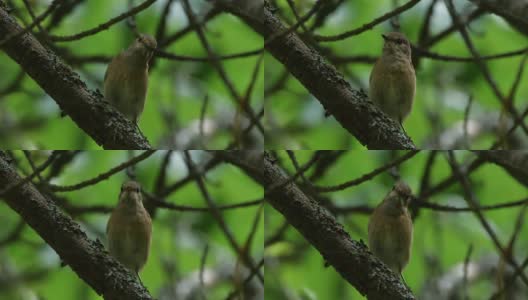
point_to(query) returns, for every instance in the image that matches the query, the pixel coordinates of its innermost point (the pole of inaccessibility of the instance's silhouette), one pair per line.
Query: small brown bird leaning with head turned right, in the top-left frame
(126, 78)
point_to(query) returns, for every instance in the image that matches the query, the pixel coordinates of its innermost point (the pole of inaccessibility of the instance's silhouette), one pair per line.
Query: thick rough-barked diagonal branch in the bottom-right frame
(350, 258)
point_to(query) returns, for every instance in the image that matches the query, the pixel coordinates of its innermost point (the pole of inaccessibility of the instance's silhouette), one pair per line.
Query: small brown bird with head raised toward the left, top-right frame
(392, 80)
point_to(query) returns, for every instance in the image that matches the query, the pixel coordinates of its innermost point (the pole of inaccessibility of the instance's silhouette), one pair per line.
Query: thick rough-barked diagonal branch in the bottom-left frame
(86, 257)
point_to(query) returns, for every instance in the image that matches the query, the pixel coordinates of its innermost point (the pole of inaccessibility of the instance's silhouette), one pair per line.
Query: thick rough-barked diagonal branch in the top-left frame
(86, 108)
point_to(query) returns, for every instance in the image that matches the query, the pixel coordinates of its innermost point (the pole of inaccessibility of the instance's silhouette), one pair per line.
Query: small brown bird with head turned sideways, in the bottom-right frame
(390, 228)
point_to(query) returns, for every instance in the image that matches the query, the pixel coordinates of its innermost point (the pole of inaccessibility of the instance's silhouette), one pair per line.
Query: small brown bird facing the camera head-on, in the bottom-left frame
(129, 229)
